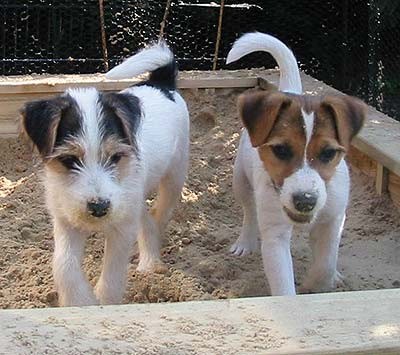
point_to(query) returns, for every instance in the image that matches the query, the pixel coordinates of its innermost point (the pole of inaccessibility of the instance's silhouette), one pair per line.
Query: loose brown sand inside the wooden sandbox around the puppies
(205, 223)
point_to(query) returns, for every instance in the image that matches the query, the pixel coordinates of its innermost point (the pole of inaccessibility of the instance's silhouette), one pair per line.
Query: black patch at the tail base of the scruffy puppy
(163, 79)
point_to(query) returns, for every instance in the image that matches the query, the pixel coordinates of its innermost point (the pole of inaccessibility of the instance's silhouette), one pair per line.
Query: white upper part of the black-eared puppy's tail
(147, 60)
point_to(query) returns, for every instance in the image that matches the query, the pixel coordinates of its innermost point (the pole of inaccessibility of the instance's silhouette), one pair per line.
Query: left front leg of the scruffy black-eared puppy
(71, 283)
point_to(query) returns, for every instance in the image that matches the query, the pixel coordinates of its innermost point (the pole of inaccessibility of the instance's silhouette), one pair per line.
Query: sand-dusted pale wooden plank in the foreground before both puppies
(366, 322)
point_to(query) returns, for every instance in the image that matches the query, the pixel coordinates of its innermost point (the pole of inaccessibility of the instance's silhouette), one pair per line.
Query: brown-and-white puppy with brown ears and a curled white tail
(290, 172)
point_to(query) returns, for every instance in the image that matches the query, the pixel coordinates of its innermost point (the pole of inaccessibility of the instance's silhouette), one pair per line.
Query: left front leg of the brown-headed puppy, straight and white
(277, 259)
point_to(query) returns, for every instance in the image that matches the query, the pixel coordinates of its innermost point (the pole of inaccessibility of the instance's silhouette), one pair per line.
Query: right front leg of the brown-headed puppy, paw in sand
(324, 239)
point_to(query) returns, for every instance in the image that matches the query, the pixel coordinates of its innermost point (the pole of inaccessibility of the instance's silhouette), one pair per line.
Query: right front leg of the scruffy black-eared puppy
(118, 248)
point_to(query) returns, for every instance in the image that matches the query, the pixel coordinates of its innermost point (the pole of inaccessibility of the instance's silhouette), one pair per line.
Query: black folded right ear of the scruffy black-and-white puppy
(122, 112)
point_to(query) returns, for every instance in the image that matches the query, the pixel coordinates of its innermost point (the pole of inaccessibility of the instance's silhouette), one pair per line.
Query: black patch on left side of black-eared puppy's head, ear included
(51, 121)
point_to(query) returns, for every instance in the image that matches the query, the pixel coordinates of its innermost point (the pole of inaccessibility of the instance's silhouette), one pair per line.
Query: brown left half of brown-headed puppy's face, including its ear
(275, 125)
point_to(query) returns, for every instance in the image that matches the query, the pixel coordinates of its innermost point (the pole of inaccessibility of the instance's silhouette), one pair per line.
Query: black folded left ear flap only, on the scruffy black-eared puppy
(40, 121)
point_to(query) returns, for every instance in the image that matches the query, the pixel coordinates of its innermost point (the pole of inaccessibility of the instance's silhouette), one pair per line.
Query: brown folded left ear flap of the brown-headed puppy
(259, 112)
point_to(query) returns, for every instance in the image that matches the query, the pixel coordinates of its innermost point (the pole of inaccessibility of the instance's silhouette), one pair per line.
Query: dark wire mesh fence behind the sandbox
(351, 45)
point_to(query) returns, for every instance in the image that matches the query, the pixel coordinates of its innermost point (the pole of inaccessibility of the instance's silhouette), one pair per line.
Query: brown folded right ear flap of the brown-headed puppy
(349, 114)
